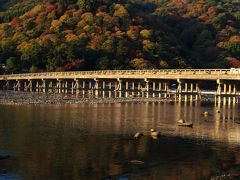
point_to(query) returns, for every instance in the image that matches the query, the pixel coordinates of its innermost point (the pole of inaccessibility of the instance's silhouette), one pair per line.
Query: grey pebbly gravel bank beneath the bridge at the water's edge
(25, 98)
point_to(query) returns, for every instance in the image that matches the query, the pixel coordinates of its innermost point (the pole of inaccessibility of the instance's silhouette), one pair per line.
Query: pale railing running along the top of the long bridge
(130, 72)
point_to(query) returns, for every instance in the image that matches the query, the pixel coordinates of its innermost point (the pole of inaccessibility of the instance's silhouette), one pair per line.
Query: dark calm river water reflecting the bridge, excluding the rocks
(94, 141)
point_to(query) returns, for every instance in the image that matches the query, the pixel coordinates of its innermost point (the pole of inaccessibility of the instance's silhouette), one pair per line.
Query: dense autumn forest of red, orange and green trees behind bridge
(69, 35)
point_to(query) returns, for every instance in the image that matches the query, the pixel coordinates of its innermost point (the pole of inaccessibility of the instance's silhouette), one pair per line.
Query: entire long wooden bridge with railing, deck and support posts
(181, 84)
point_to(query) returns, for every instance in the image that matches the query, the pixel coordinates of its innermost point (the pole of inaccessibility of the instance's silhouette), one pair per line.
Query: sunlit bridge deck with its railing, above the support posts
(170, 74)
